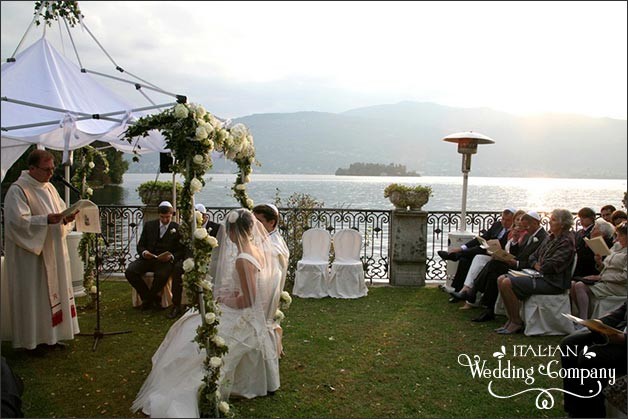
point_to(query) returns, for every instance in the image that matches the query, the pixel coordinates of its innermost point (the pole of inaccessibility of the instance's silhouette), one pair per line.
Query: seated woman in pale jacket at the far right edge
(610, 282)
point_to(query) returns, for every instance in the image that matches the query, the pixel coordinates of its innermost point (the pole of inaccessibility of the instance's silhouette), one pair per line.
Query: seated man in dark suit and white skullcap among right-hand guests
(487, 280)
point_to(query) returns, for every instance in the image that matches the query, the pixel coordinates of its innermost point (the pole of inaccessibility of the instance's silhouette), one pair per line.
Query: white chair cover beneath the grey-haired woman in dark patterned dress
(542, 314)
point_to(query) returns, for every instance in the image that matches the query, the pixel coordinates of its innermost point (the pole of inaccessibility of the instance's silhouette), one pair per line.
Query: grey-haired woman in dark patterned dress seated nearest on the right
(553, 260)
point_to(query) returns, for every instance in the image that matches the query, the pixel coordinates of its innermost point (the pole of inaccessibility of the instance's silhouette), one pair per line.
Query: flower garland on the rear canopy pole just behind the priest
(85, 157)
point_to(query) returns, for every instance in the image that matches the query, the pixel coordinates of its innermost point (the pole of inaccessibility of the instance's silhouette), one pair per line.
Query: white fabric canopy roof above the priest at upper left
(47, 100)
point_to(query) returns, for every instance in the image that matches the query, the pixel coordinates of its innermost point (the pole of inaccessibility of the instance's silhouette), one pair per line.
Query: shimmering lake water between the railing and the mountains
(483, 193)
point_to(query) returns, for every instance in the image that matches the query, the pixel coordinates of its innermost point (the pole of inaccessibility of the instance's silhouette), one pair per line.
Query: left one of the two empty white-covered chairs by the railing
(312, 274)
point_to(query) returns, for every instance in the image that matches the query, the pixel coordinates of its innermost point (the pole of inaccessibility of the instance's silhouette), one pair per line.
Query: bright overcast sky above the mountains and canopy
(240, 58)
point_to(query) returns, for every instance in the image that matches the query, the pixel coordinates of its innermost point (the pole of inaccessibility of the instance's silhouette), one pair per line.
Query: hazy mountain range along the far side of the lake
(411, 133)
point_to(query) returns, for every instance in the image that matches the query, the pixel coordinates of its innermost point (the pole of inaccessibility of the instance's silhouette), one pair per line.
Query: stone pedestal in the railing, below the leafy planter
(408, 248)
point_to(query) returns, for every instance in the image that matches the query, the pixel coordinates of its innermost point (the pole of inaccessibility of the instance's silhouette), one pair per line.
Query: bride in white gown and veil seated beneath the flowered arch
(246, 288)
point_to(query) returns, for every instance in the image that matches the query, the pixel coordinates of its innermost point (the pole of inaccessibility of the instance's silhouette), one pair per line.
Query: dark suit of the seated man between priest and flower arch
(150, 240)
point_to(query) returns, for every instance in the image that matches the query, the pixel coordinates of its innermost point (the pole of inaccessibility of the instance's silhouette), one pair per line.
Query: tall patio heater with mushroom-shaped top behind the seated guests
(467, 145)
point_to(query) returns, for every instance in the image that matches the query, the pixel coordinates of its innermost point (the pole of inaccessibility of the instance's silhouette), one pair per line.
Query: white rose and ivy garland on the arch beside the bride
(192, 134)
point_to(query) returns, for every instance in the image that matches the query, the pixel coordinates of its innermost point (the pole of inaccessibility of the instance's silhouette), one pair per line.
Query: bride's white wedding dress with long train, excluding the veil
(250, 369)
